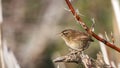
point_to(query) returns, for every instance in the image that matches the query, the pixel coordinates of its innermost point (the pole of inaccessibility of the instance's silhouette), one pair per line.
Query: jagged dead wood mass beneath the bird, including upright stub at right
(87, 61)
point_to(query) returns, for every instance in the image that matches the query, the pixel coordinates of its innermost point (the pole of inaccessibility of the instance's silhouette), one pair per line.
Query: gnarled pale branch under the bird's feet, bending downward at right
(76, 58)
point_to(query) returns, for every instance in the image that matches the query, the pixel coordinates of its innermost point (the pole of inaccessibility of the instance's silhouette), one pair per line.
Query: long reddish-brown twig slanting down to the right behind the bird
(77, 17)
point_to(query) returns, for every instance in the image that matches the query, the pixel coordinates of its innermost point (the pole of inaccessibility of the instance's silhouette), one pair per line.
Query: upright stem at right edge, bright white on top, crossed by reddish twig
(116, 23)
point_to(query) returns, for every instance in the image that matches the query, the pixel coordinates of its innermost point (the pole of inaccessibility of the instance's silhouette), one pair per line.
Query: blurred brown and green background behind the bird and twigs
(30, 28)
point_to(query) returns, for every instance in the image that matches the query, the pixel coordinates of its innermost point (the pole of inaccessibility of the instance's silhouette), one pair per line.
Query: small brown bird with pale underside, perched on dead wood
(76, 40)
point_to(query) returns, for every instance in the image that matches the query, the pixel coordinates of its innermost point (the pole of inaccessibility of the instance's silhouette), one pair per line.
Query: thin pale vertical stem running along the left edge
(1, 48)
